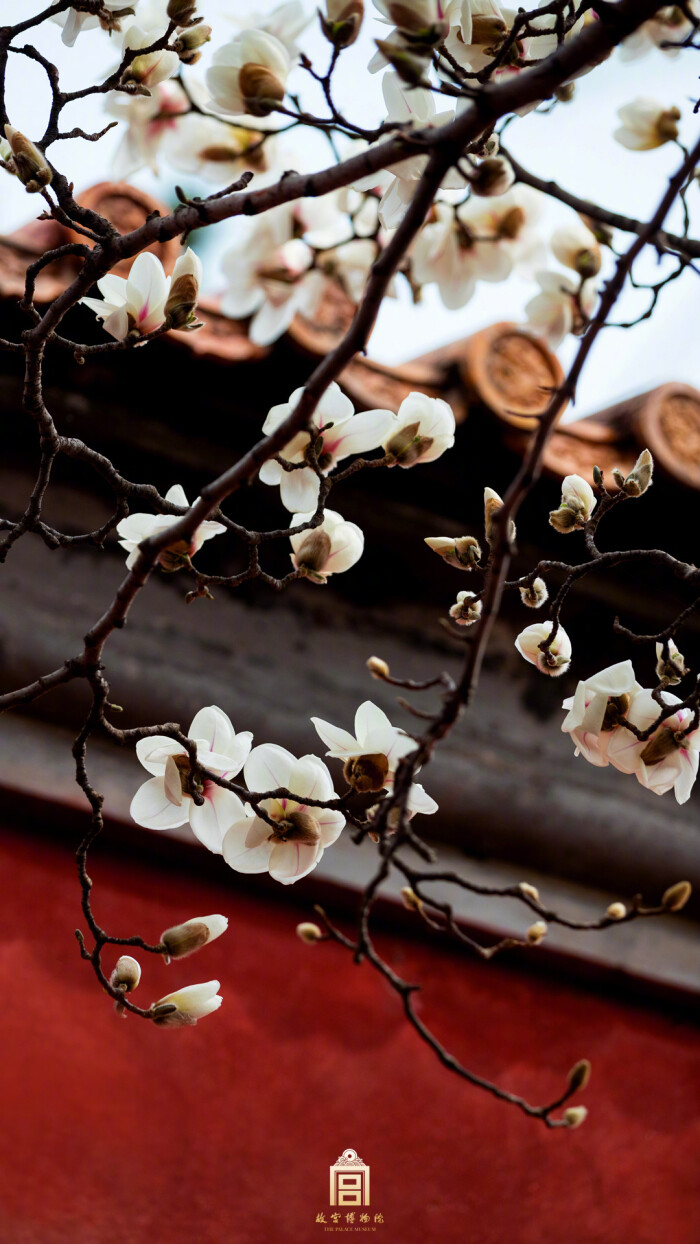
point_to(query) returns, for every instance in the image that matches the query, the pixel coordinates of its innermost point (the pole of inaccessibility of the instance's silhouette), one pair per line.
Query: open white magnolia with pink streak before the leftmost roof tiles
(137, 304)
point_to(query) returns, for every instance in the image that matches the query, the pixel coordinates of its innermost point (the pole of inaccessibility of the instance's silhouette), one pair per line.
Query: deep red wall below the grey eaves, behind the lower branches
(116, 1131)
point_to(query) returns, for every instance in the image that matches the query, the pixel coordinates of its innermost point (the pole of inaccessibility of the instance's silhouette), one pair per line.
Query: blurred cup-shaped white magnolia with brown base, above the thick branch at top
(249, 74)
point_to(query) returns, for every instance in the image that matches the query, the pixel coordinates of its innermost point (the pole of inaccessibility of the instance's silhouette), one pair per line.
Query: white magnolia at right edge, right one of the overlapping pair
(670, 758)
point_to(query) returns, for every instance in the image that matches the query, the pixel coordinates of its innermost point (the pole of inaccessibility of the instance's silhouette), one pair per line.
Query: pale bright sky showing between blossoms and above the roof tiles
(573, 145)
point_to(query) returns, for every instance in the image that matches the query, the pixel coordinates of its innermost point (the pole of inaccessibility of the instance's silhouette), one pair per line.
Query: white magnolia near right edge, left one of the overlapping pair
(596, 710)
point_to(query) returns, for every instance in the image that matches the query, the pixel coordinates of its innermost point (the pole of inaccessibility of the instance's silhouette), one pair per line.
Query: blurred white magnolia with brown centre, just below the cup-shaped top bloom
(214, 150)
